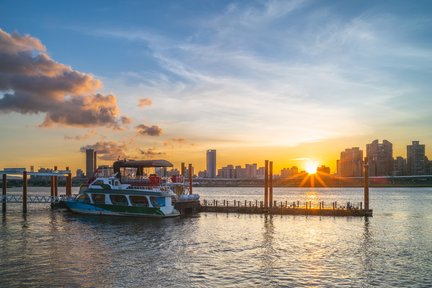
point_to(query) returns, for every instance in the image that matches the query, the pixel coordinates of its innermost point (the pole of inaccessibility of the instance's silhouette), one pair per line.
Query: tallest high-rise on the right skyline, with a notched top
(380, 158)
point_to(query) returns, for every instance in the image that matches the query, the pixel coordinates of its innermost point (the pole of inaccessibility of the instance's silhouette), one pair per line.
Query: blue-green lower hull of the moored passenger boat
(117, 210)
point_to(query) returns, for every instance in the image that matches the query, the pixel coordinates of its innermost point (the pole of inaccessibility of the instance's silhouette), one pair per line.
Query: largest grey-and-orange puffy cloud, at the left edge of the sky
(31, 83)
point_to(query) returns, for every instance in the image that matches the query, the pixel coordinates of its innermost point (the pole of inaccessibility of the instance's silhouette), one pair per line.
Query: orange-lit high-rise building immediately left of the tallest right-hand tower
(351, 163)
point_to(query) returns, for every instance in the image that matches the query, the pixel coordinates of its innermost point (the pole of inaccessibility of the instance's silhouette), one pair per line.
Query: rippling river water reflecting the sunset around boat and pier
(392, 249)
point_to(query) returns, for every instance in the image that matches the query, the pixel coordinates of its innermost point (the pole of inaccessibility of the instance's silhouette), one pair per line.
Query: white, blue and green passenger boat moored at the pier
(131, 192)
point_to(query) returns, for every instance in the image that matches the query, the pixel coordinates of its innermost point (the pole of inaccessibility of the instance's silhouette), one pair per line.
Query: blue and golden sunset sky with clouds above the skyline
(289, 81)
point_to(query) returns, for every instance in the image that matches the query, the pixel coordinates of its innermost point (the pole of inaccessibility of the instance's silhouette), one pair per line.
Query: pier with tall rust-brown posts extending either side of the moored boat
(267, 206)
